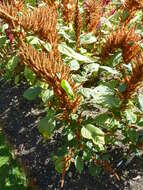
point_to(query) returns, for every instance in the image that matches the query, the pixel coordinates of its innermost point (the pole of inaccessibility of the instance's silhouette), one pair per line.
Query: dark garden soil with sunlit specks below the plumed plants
(19, 118)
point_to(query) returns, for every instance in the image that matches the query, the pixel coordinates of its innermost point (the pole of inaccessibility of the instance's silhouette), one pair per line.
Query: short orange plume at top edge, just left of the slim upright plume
(68, 7)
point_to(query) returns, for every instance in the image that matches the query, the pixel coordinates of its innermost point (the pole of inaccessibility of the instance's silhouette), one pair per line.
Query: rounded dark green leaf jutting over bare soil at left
(32, 93)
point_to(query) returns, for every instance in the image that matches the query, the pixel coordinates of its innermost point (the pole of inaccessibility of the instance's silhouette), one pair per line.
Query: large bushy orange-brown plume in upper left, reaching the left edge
(42, 21)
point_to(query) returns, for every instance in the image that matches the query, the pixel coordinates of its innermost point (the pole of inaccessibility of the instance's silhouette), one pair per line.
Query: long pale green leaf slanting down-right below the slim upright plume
(64, 49)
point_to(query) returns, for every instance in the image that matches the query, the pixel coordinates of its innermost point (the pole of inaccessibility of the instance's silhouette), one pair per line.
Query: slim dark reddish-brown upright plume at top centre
(77, 24)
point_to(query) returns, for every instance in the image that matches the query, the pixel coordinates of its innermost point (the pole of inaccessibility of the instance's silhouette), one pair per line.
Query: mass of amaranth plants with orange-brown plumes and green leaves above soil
(85, 60)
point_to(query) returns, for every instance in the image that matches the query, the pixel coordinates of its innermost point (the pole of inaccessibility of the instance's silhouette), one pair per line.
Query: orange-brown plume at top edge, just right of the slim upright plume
(93, 12)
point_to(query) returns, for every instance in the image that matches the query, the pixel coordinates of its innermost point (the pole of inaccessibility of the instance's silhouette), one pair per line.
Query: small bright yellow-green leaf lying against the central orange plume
(68, 89)
